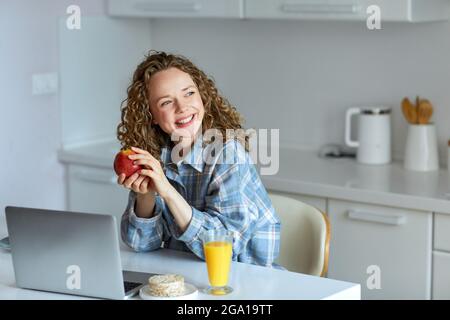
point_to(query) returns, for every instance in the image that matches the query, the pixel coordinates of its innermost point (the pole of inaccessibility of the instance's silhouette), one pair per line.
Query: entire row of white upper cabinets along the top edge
(359, 10)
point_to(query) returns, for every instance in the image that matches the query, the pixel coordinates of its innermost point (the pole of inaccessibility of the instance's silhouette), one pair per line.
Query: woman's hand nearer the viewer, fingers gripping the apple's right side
(150, 178)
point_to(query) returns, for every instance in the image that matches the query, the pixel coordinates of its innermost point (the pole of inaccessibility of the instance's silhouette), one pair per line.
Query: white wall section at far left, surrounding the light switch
(30, 130)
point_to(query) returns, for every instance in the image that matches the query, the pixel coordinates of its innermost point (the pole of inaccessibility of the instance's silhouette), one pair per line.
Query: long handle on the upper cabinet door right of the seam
(320, 8)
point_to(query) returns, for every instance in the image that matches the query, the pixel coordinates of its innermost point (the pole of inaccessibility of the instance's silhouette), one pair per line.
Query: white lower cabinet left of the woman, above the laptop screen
(95, 190)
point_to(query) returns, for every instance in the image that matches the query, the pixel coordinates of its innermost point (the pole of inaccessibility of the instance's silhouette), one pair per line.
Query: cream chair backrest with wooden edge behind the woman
(305, 236)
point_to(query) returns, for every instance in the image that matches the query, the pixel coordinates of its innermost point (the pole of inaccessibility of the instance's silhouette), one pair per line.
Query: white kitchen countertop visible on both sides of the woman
(303, 172)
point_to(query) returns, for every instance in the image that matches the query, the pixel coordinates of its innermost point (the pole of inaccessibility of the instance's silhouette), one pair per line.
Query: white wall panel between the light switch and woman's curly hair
(96, 67)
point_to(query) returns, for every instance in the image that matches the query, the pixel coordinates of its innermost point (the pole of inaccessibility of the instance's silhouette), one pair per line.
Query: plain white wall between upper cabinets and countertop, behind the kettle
(301, 76)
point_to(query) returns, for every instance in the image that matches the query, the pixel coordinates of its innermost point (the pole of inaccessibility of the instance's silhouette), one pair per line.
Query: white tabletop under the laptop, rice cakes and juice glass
(248, 281)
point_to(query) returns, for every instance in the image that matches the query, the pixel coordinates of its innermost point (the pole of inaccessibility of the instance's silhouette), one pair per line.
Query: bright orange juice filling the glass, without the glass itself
(218, 260)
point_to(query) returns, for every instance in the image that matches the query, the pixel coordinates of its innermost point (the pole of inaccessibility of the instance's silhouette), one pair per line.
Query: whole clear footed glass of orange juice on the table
(217, 246)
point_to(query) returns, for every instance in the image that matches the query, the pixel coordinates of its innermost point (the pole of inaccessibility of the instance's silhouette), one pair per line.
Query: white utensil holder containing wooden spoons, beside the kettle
(421, 151)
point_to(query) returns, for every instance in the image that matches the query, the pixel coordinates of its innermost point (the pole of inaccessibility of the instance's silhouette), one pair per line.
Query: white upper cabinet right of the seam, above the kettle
(389, 10)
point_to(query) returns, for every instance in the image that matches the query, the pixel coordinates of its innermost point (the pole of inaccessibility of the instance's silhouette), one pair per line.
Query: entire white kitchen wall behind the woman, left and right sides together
(297, 75)
